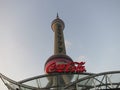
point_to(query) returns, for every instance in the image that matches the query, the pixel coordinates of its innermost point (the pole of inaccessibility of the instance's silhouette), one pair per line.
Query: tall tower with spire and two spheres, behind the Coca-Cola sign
(59, 56)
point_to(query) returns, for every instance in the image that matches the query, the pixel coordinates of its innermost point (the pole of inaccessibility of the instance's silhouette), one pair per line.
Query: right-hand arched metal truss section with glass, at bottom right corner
(100, 81)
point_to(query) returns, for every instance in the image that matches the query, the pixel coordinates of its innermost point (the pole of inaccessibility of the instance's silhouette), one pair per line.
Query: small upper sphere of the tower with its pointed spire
(57, 24)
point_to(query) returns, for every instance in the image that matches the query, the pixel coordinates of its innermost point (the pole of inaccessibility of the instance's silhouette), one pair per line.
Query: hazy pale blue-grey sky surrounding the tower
(92, 34)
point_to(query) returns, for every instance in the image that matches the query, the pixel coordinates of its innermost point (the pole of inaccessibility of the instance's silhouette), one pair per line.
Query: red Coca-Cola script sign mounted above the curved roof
(71, 67)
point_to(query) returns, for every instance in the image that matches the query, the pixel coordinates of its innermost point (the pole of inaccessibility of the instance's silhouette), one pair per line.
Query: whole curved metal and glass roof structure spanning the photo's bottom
(79, 81)
